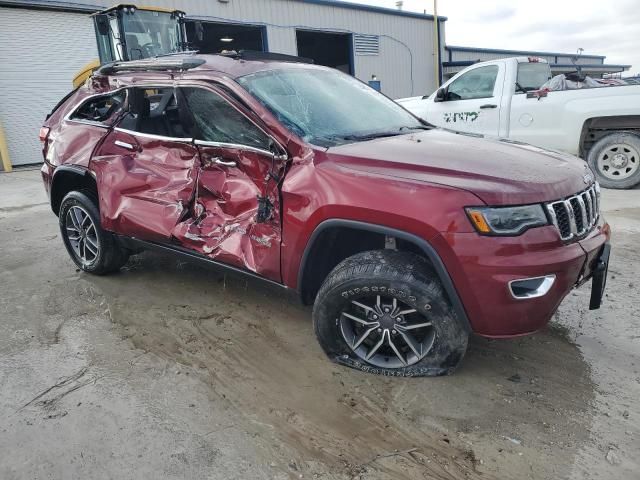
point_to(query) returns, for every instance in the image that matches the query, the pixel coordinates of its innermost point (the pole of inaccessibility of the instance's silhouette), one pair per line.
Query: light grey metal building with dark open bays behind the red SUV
(43, 43)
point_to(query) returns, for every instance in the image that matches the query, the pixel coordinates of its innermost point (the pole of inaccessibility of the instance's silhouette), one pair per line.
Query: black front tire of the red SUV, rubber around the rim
(405, 276)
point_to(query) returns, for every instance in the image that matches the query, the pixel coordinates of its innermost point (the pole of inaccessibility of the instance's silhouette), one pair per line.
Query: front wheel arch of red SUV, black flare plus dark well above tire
(314, 266)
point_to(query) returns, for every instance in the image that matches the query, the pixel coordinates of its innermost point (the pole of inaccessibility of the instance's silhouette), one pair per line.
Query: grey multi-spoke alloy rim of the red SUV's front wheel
(385, 332)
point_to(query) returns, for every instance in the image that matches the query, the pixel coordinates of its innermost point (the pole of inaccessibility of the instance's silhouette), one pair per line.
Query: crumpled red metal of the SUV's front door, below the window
(224, 223)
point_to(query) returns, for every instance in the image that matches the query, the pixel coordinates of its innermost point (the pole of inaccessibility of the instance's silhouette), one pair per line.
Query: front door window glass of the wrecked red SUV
(217, 121)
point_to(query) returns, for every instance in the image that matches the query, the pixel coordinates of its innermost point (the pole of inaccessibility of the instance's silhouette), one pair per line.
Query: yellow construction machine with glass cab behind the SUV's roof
(129, 32)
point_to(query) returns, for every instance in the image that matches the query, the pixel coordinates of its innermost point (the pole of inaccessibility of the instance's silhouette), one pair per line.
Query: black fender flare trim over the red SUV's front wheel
(424, 246)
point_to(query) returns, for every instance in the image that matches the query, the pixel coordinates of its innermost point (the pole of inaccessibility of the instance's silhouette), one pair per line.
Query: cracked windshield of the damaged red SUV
(327, 107)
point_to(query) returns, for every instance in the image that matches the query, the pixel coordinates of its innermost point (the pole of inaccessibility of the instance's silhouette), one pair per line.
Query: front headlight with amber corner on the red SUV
(506, 220)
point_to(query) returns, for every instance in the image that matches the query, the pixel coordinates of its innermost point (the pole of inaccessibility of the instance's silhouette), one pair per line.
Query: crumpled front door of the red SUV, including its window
(235, 216)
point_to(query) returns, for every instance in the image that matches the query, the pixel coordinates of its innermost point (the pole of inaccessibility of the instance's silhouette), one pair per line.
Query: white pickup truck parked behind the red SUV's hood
(502, 98)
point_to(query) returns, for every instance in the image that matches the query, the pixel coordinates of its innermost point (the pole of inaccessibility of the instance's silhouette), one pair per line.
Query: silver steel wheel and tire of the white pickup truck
(615, 159)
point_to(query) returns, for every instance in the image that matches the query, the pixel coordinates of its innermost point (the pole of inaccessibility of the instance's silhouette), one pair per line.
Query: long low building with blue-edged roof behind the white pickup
(459, 58)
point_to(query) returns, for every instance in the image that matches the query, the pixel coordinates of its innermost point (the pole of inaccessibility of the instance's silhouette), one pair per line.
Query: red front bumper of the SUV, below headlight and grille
(482, 267)
